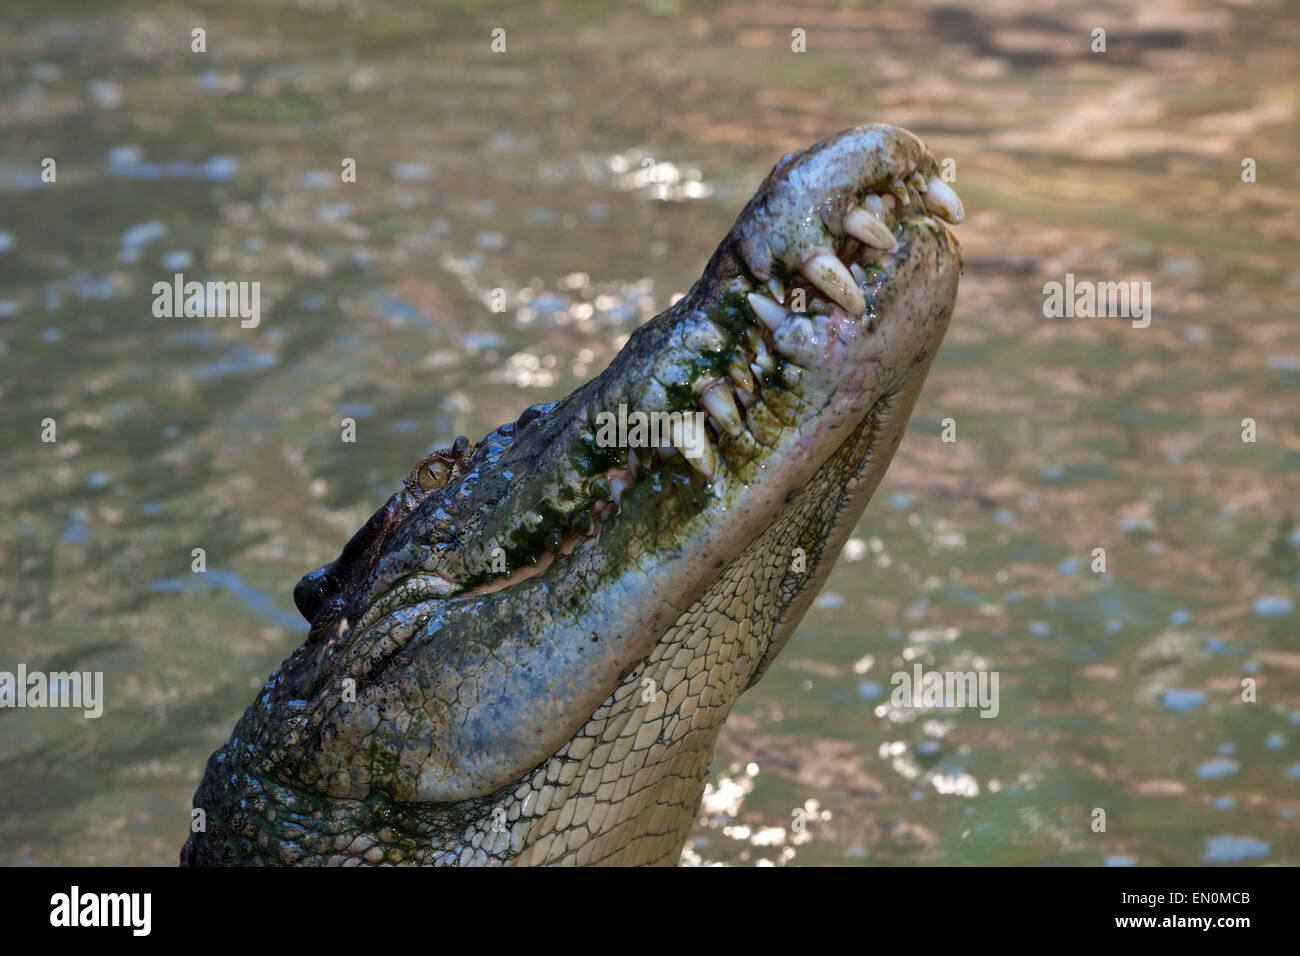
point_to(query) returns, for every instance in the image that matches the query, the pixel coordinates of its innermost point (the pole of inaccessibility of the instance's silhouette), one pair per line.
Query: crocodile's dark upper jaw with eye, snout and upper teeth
(826, 222)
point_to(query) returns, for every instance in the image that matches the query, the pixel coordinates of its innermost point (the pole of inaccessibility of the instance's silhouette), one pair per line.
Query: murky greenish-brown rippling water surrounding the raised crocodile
(590, 171)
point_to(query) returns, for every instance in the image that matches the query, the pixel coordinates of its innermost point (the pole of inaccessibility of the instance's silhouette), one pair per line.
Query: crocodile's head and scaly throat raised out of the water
(526, 656)
